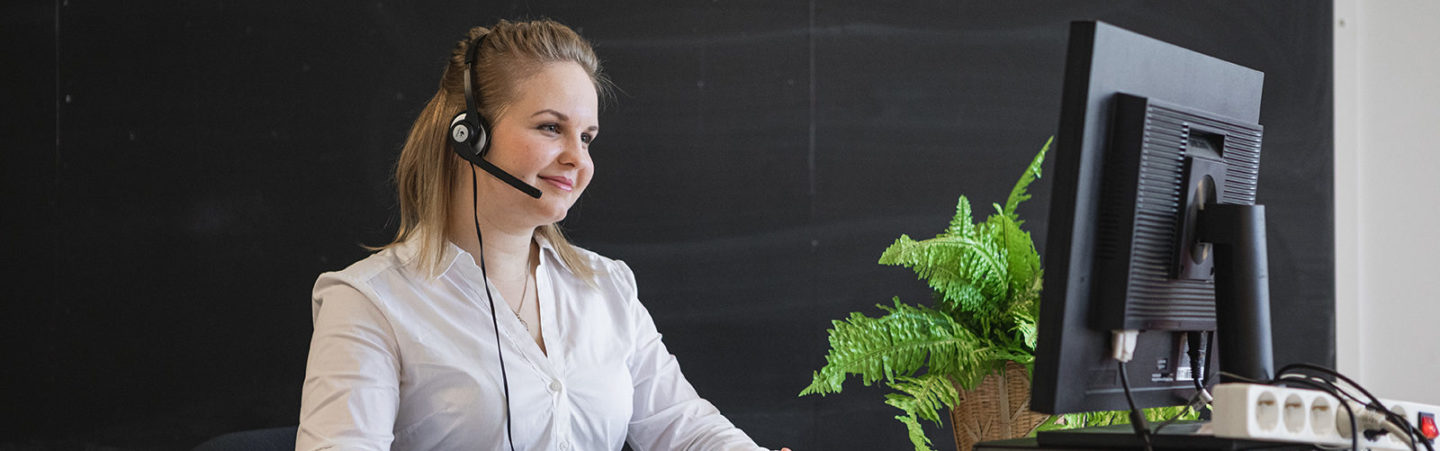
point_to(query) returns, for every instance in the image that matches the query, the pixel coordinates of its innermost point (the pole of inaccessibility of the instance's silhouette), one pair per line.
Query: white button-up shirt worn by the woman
(408, 362)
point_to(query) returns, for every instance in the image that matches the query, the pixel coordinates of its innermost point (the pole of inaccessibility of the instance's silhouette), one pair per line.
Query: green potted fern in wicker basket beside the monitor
(978, 331)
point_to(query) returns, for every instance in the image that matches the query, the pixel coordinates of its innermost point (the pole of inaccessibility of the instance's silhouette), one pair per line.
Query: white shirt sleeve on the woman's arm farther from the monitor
(352, 385)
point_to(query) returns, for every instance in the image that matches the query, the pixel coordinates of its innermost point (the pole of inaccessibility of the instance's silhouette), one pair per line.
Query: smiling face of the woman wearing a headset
(544, 139)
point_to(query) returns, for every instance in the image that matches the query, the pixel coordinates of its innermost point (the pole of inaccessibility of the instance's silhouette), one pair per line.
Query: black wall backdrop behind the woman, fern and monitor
(178, 174)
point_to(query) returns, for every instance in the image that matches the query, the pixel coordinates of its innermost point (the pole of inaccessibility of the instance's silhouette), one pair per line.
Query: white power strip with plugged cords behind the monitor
(1266, 413)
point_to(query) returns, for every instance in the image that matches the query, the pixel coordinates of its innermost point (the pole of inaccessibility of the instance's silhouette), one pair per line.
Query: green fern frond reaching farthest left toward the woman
(902, 342)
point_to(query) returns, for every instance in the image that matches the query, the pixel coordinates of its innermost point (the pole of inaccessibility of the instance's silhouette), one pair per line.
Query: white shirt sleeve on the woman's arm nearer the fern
(667, 411)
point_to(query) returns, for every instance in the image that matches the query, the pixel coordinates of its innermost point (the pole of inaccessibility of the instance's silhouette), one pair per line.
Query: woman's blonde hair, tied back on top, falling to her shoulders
(426, 172)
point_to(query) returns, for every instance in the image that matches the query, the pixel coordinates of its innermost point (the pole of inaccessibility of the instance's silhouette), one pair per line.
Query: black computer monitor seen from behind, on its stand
(1154, 227)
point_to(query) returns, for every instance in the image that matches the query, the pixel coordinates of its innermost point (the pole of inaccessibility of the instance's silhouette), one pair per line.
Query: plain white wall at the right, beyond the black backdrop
(1387, 195)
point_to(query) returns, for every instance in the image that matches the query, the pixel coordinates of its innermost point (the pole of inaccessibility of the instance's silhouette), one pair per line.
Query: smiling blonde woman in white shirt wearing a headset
(407, 351)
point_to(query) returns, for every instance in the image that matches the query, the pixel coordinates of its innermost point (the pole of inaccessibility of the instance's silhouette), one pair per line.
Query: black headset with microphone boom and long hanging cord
(470, 139)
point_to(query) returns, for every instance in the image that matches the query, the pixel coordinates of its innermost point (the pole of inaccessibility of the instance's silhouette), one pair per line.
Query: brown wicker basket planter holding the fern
(996, 410)
